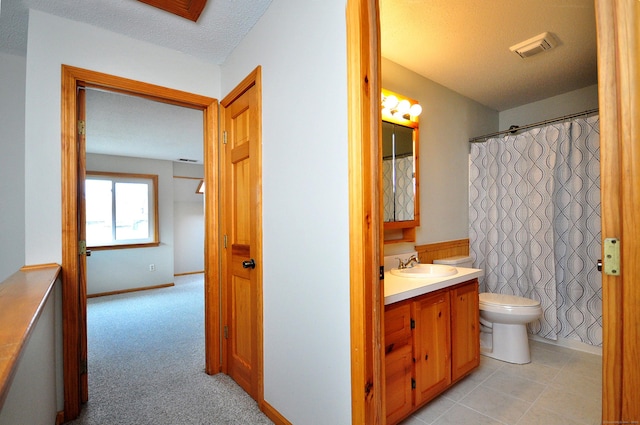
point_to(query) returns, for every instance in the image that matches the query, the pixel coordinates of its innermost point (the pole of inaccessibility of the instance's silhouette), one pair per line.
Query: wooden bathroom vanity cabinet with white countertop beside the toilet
(431, 337)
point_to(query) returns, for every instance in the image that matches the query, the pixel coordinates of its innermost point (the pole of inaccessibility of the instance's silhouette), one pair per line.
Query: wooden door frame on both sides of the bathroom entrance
(618, 30)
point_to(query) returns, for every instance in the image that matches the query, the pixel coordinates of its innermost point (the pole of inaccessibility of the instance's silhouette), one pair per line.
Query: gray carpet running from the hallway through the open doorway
(146, 362)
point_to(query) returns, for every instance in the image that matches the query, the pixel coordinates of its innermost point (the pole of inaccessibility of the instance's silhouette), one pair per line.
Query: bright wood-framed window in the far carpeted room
(121, 210)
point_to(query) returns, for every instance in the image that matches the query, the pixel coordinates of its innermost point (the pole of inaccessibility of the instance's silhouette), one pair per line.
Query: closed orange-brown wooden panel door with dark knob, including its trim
(242, 265)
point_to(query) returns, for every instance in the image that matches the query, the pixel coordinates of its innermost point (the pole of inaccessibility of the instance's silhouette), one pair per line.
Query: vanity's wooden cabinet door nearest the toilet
(465, 329)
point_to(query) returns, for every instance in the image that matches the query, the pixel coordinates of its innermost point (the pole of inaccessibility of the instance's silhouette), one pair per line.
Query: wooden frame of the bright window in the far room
(154, 222)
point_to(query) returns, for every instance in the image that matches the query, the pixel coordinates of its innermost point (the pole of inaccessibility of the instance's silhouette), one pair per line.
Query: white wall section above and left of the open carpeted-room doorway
(92, 48)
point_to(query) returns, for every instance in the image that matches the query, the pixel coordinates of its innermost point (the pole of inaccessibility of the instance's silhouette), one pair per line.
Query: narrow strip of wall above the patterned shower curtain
(557, 106)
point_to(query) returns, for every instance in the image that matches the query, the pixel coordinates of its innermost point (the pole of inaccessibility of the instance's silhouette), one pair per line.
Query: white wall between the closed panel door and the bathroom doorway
(302, 49)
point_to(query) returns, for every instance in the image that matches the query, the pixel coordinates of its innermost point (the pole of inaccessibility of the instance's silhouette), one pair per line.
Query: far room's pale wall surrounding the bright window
(120, 269)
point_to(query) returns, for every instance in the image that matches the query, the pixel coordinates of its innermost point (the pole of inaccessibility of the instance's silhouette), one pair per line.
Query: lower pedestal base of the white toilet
(506, 342)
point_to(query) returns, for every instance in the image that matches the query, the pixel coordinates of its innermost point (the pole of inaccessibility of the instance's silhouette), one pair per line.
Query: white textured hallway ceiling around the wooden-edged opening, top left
(221, 26)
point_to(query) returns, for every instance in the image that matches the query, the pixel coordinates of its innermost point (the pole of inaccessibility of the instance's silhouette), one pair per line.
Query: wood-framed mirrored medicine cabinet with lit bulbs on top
(400, 141)
